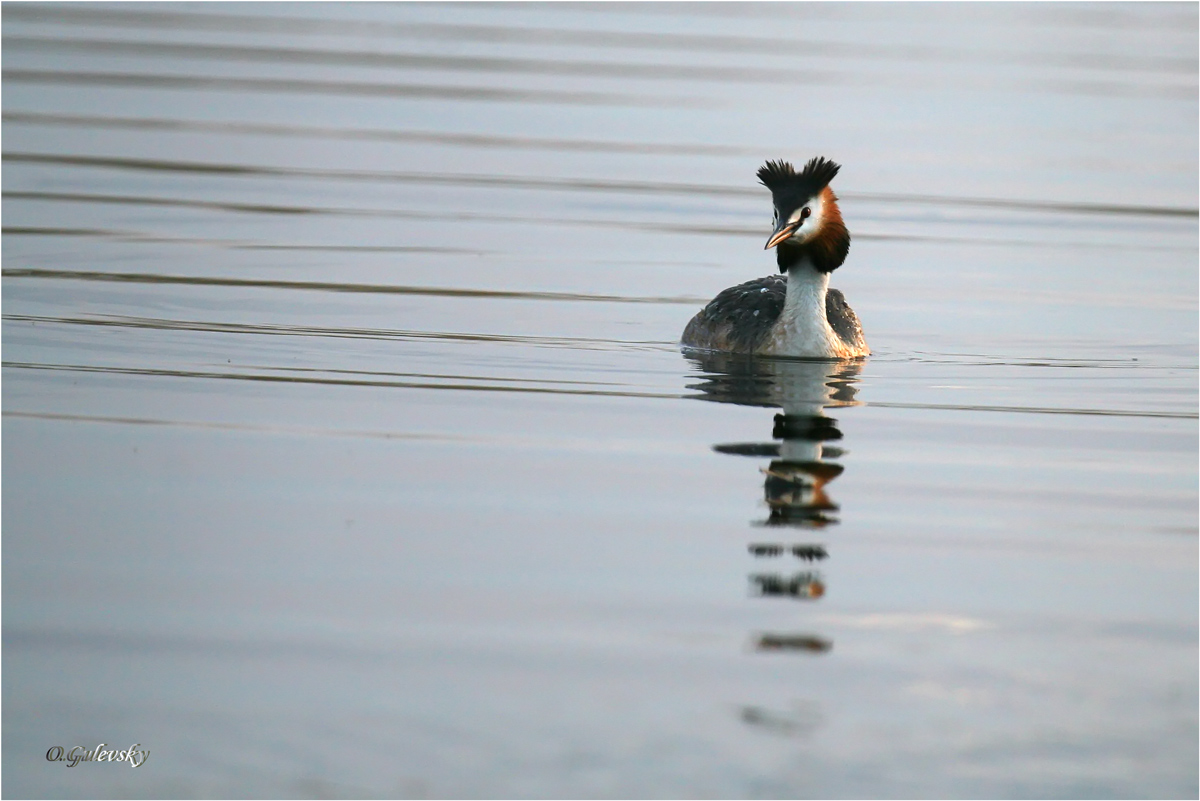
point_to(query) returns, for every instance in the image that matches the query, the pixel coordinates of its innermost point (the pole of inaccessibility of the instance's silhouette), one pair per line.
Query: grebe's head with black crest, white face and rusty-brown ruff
(808, 221)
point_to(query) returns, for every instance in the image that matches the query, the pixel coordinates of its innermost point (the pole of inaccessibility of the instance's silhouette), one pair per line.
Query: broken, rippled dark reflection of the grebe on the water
(802, 465)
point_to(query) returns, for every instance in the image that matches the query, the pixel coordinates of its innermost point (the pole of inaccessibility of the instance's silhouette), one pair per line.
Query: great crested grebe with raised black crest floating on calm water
(796, 314)
